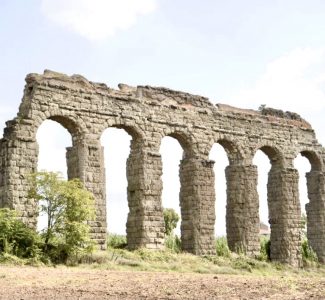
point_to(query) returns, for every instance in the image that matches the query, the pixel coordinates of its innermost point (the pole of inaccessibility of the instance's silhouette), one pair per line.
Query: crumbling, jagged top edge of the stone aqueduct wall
(160, 95)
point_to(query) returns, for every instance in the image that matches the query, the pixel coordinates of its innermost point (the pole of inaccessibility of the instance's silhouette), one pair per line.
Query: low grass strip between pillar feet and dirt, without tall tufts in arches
(169, 261)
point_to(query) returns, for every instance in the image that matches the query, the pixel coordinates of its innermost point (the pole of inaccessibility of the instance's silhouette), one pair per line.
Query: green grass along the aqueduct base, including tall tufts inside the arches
(172, 259)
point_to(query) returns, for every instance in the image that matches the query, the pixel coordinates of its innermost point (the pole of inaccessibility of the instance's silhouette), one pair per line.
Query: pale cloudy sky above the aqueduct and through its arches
(242, 53)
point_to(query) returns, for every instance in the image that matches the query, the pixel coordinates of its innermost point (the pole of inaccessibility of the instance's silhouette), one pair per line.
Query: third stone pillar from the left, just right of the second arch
(145, 223)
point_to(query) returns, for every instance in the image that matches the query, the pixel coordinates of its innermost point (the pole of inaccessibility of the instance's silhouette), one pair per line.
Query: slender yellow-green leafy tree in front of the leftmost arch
(68, 206)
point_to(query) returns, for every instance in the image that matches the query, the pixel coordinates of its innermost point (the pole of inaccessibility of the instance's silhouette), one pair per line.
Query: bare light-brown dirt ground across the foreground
(79, 283)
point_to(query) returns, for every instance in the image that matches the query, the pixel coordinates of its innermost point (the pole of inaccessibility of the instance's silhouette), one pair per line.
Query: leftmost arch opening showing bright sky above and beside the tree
(53, 140)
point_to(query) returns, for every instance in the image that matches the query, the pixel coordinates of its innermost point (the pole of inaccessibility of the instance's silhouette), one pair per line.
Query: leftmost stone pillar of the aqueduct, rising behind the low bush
(19, 152)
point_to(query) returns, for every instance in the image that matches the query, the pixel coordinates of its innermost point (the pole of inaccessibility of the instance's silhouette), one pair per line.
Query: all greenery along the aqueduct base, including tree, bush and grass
(68, 241)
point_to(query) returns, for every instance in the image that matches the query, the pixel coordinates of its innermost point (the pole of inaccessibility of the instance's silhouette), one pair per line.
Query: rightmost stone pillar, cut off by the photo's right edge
(315, 210)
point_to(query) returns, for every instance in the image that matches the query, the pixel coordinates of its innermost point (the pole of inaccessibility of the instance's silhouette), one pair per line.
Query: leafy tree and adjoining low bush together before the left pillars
(66, 238)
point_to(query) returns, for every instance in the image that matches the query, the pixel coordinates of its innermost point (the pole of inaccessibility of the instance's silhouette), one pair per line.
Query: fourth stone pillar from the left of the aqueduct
(197, 200)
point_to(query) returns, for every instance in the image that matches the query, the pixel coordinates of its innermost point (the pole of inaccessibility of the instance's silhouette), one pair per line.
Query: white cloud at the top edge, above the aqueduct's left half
(96, 19)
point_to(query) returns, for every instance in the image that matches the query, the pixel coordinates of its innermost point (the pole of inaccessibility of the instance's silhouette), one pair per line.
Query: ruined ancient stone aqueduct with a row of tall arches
(148, 114)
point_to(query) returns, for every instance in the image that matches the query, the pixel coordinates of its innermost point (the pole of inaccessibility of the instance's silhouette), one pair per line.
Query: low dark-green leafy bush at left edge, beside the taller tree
(16, 238)
